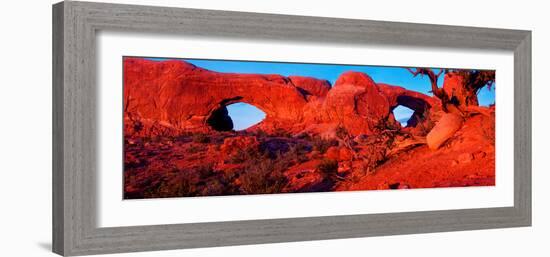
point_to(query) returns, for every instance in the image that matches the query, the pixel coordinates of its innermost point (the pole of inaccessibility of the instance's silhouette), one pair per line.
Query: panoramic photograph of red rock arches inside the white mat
(198, 127)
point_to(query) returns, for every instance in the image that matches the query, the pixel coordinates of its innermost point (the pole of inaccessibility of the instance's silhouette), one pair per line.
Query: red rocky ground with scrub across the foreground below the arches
(227, 163)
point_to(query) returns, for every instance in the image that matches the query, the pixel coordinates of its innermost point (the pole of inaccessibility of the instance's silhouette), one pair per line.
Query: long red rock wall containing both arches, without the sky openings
(171, 97)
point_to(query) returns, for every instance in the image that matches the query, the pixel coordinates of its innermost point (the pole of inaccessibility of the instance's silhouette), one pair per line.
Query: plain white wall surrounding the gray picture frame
(25, 128)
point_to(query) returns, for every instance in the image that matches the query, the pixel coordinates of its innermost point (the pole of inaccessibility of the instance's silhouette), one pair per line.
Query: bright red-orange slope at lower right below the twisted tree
(467, 160)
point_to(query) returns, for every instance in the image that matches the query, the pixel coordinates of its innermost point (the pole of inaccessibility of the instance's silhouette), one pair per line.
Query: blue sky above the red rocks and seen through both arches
(245, 115)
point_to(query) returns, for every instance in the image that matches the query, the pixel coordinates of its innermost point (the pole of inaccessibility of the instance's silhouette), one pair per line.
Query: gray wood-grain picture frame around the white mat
(75, 25)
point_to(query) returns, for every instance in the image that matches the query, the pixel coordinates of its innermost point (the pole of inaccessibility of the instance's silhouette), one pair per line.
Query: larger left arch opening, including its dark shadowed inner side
(235, 116)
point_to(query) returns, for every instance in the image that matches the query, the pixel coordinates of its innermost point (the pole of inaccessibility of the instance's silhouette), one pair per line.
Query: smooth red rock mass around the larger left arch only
(183, 96)
